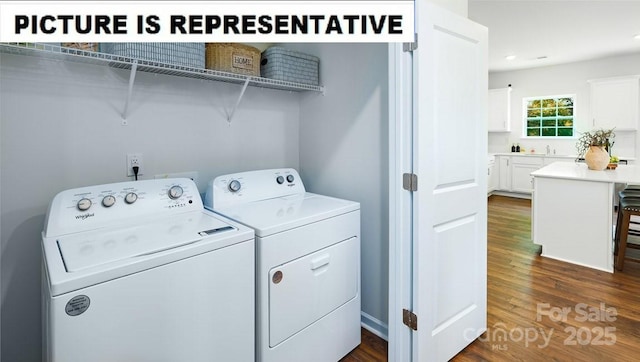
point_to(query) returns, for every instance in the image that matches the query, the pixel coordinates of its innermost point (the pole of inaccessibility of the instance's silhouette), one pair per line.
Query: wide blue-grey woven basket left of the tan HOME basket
(187, 54)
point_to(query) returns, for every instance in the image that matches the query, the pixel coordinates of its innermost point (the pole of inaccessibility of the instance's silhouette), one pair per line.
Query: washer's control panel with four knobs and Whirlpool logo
(93, 207)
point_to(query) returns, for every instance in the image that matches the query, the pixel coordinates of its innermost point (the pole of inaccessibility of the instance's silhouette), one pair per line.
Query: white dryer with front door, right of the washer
(308, 263)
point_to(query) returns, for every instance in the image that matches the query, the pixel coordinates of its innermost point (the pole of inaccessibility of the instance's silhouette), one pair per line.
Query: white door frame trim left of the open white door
(400, 201)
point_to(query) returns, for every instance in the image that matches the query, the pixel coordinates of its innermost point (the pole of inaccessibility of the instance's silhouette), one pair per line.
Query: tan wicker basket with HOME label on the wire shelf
(233, 58)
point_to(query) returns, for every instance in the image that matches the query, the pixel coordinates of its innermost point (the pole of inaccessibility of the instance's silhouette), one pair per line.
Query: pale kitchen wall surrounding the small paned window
(562, 79)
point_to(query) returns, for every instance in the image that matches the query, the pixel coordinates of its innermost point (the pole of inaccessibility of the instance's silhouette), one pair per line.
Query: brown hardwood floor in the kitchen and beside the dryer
(540, 309)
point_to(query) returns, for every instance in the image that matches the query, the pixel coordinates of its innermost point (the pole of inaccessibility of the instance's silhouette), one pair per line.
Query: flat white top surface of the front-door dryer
(272, 216)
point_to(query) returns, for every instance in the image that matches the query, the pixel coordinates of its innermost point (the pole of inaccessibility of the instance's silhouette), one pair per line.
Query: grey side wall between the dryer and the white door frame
(344, 153)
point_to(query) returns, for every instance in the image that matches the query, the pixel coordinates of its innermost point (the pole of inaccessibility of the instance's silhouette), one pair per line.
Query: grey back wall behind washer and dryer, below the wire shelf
(60, 129)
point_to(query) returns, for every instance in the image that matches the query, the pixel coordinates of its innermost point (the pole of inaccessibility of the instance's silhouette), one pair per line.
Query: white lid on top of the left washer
(103, 246)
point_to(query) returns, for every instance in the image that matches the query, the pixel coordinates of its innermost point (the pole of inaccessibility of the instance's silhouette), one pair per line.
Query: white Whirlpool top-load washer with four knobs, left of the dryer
(139, 271)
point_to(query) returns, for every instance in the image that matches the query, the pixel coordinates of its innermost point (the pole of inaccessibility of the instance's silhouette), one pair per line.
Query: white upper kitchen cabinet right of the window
(615, 103)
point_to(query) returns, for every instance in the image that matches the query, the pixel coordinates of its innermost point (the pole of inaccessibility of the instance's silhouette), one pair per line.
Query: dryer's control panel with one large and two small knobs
(244, 187)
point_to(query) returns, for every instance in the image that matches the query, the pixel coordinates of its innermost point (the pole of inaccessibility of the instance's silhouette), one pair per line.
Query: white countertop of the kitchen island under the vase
(579, 171)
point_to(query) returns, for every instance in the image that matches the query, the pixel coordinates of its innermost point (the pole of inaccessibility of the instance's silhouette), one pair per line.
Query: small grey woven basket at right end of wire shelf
(288, 65)
